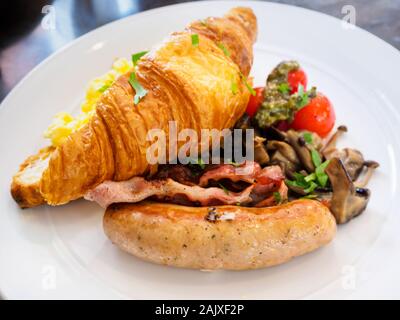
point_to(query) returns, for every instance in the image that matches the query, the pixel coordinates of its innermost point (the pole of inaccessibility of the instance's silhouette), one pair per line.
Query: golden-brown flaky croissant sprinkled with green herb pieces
(186, 83)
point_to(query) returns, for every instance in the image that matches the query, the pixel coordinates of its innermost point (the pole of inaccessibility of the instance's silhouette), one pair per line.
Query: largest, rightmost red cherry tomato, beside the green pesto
(318, 116)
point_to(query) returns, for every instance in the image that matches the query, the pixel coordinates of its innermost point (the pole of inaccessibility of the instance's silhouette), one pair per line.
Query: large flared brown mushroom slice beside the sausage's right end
(347, 201)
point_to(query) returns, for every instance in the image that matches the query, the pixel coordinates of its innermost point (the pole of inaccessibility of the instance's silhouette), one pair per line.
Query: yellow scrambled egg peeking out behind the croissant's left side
(64, 123)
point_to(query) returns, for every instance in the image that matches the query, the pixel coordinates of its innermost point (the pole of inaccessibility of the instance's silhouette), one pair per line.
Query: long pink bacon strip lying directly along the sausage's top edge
(267, 181)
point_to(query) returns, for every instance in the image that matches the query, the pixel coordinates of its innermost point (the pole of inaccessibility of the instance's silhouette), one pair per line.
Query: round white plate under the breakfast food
(62, 252)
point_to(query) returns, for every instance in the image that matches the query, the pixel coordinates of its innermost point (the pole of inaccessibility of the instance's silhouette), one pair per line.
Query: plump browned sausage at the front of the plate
(224, 237)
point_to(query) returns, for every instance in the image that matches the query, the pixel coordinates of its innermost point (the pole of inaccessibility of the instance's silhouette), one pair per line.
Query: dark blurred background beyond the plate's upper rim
(26, 39)
